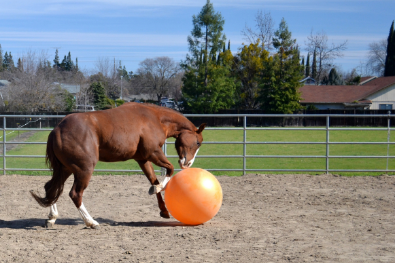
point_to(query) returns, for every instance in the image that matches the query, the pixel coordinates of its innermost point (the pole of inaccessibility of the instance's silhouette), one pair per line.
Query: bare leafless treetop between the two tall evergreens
(264, 30)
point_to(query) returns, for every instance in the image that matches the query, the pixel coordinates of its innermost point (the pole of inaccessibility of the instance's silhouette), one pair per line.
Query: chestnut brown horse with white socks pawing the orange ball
(131, 131)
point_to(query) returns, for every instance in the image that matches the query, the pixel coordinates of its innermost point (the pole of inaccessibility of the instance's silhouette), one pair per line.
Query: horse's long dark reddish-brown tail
(54, 187)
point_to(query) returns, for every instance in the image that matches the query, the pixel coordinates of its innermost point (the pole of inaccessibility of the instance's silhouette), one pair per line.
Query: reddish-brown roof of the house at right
(344, 93)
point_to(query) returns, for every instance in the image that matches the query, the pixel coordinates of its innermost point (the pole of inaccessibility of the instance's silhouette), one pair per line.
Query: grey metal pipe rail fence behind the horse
(245, 128)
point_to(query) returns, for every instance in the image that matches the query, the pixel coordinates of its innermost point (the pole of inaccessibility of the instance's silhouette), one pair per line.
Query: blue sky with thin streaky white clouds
(131, 31)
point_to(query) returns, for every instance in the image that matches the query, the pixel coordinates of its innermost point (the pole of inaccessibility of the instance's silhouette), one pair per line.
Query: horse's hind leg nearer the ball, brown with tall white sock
(80, 184)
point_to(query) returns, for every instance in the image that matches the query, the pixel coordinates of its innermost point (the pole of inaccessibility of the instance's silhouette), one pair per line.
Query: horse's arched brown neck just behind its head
(174, 123)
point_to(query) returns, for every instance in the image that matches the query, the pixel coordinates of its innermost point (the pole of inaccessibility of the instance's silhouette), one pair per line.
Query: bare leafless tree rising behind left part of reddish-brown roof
(325, 52)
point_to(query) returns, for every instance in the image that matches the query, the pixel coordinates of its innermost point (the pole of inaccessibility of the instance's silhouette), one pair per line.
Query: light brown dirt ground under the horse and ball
(264, 218)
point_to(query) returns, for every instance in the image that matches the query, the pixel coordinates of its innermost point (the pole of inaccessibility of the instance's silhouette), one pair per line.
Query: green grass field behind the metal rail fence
(254, 149)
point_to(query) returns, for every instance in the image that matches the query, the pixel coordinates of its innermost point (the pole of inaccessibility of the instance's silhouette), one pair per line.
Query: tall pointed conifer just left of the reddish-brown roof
(281, 78)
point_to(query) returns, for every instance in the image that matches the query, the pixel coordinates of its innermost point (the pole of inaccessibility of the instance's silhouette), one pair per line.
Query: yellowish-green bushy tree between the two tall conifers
(247, 67)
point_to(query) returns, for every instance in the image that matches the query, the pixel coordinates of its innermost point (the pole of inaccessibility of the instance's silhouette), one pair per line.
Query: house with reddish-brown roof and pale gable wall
(372, 93)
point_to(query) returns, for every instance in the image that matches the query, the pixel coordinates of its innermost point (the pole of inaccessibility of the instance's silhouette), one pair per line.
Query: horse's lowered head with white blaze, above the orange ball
(187, 146)
